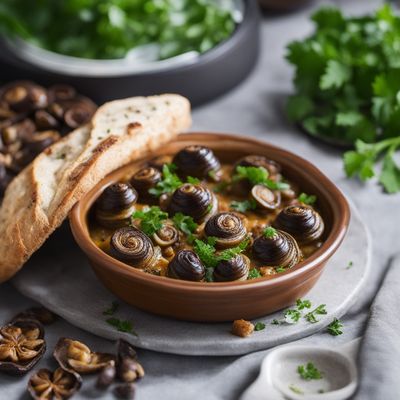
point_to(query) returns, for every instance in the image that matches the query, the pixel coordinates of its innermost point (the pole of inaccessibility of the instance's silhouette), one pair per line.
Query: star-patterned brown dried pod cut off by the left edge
(21, 346)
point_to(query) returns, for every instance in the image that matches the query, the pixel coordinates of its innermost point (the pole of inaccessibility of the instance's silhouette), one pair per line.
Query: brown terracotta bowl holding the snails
(196, 301)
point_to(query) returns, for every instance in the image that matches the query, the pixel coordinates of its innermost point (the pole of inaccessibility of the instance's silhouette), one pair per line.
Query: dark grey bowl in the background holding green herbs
(212, 74)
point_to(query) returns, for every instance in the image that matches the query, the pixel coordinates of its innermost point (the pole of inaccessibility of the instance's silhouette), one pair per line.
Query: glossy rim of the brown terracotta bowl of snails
(337, 232)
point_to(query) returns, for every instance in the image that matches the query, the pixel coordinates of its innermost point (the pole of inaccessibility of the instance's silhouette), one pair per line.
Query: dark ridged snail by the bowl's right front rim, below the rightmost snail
(281, 250)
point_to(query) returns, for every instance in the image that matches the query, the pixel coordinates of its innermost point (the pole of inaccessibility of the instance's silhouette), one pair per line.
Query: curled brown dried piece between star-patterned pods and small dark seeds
(75, 356)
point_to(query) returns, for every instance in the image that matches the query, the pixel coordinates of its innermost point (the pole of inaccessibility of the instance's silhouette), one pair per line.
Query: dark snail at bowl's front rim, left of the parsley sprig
(187, 266)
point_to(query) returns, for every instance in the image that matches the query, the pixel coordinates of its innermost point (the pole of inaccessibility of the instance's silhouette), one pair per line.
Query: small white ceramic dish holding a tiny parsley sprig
(279, 379)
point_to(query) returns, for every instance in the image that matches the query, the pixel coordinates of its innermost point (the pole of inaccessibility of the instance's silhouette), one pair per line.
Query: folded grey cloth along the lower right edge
(379, 358)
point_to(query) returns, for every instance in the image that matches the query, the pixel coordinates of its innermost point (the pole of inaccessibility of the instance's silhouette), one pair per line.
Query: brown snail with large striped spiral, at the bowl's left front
(132, 246)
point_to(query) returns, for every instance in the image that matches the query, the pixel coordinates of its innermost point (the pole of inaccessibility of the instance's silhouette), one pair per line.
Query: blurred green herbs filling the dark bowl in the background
(109, 29)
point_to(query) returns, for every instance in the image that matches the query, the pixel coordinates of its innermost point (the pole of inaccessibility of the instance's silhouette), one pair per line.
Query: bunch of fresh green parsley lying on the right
(347, 88)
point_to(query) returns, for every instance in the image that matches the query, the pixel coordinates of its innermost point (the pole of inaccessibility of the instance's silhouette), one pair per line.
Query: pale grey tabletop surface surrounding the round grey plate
(254, 109)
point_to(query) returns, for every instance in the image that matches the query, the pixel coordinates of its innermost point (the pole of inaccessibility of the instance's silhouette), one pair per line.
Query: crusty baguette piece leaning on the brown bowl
(39, 199)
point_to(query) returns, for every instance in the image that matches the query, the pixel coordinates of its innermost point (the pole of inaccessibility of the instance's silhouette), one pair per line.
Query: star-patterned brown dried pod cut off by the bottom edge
(58, 385)
